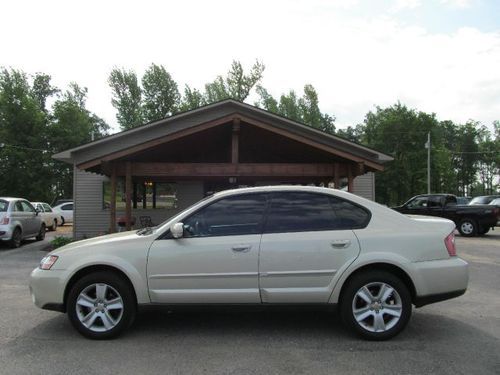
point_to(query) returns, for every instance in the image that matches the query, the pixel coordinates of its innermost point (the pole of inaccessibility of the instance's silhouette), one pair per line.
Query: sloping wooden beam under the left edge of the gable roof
(156, 142)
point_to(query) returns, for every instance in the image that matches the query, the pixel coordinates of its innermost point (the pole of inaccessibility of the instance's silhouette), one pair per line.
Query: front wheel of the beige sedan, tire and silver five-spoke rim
(89, 313)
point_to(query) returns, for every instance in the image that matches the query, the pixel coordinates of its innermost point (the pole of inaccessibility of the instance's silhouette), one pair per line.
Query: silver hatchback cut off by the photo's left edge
(19, 220)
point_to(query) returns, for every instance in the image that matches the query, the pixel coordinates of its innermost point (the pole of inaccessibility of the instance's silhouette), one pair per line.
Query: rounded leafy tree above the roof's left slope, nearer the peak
(161, 96)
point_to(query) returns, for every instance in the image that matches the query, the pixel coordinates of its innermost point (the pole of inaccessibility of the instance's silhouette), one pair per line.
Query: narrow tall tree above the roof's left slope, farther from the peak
(127, 98)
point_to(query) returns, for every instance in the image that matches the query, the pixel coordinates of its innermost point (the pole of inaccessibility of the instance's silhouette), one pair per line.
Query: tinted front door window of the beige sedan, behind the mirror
(236, 215)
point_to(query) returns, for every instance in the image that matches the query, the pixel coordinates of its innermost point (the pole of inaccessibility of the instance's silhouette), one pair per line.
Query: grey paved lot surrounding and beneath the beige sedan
(460, 336)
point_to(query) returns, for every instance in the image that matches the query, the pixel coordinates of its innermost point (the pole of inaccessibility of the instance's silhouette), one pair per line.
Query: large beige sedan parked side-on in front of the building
(266, 246)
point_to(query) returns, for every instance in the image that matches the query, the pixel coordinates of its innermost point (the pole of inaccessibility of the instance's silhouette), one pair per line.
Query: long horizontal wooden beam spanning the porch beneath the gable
(228, 170)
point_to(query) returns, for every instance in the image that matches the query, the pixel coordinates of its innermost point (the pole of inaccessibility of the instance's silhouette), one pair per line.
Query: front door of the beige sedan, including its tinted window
(216, 261)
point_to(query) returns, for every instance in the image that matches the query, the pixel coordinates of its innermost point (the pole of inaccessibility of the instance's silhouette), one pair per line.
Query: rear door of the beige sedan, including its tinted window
(303, 247)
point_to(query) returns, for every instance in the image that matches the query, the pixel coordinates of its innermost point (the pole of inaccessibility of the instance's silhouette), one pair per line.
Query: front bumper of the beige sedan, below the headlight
(47, 289)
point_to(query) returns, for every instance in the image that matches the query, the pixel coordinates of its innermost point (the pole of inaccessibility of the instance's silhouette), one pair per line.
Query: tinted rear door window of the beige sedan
(299, 212)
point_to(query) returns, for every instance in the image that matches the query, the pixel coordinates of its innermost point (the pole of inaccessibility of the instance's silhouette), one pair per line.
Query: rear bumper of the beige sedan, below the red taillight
(438, 280)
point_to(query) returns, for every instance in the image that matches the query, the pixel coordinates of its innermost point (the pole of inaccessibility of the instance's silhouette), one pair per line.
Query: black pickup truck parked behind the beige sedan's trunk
(471, 220)
